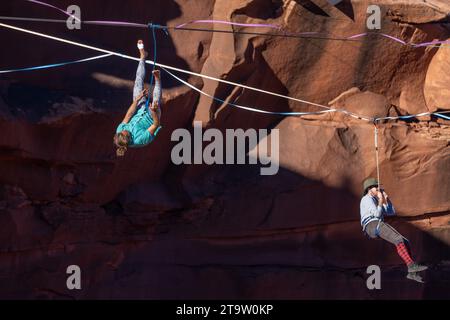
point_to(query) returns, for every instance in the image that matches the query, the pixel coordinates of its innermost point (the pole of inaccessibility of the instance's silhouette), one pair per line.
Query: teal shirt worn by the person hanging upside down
(138, 128)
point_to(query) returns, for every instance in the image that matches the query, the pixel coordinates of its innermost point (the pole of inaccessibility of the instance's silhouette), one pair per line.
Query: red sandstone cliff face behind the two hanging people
(141, 227)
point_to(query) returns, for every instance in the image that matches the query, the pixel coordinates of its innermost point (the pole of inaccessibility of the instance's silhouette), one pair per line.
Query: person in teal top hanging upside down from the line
(140, 128)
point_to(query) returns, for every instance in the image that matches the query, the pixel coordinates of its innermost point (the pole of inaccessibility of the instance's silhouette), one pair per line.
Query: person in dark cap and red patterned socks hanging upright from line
(375, 204)
